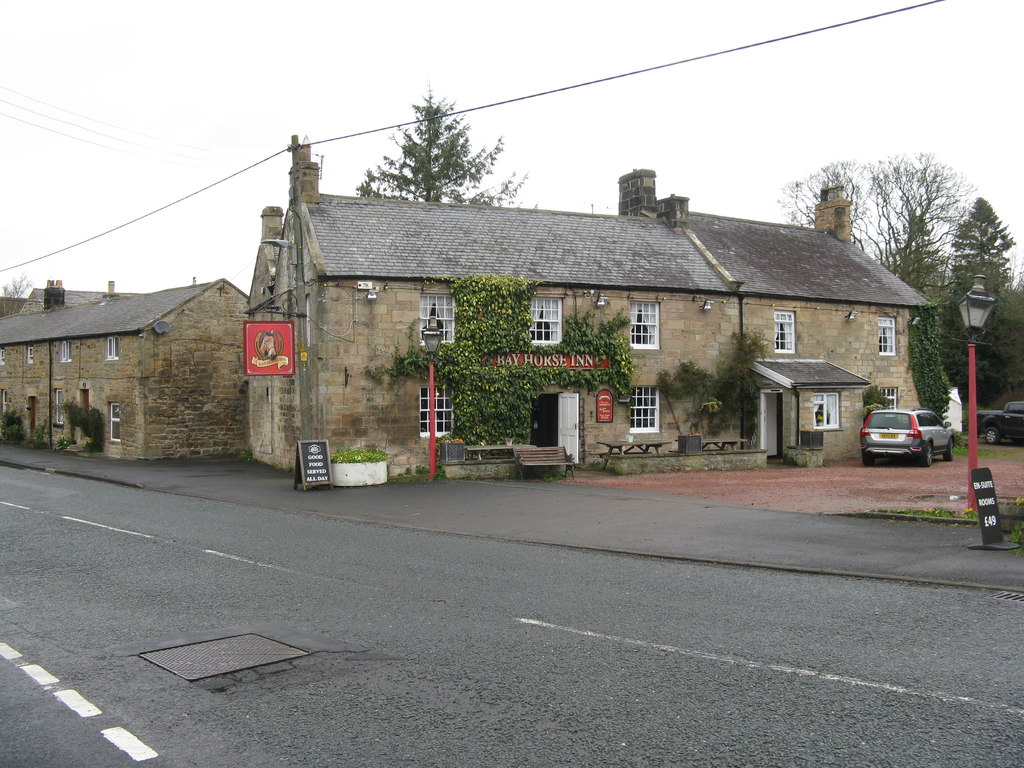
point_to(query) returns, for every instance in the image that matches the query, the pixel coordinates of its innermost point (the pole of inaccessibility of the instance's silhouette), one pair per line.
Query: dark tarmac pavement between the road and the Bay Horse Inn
(631, 523)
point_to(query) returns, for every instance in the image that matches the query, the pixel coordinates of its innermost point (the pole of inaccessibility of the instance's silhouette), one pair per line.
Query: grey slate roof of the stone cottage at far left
(113, 316)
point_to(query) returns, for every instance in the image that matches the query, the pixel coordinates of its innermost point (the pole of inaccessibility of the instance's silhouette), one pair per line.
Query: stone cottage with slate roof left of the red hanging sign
(164, 369)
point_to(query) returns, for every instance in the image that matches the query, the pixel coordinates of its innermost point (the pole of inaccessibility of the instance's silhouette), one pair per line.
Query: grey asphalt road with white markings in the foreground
(439, 651)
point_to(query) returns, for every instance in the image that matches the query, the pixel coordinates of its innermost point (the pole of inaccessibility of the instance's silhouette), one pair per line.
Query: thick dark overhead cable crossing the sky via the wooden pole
(493, 105)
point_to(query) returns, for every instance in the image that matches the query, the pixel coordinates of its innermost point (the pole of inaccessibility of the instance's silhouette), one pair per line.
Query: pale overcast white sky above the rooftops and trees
(111, 111)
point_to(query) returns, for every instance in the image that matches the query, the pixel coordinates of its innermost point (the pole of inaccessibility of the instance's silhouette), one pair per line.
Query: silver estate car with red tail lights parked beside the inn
(916, 434)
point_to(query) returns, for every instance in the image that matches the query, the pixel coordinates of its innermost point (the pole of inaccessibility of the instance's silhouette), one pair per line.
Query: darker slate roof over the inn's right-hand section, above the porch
(784, 261)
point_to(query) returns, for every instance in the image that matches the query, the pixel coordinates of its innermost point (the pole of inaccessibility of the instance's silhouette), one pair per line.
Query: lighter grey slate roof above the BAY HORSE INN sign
(393, 239)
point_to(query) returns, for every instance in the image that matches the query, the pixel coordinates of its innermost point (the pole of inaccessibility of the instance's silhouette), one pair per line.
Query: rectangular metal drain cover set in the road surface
(212, 658)
